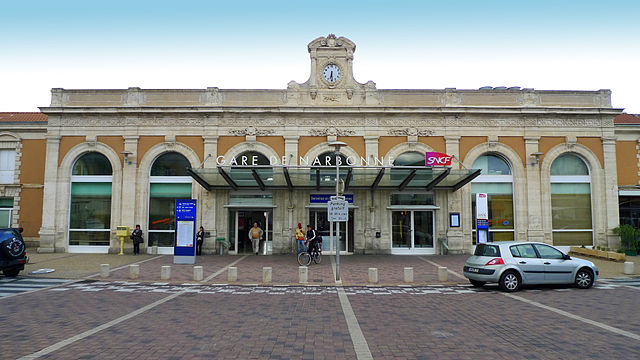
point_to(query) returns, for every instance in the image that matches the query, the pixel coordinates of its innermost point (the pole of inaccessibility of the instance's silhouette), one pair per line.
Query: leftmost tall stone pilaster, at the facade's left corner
(48, 229)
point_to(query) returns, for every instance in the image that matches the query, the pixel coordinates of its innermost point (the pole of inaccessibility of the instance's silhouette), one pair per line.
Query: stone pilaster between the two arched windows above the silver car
(534, 209)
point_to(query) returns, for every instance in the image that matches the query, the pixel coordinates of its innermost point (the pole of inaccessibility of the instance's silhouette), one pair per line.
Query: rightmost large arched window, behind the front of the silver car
(571, 201)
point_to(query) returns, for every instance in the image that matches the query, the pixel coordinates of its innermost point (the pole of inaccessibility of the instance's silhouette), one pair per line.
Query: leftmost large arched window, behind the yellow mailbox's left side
(90, 210)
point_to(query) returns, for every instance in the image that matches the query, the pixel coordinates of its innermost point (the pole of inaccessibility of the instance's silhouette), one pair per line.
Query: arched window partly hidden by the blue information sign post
(168, 181)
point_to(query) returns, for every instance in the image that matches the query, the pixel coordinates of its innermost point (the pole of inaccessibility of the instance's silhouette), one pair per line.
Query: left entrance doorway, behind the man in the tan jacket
(242, 222)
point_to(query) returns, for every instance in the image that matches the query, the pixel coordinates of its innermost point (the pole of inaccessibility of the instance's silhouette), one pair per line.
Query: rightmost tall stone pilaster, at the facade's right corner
(610, 192)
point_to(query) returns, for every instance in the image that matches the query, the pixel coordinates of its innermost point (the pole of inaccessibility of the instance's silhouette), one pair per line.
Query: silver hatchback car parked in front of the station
(512, 264)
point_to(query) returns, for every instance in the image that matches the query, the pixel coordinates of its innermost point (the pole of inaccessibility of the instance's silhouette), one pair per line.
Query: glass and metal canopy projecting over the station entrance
(295, 177)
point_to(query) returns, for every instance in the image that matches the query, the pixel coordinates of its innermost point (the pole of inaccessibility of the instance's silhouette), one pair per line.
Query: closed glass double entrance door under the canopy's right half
(412, 232)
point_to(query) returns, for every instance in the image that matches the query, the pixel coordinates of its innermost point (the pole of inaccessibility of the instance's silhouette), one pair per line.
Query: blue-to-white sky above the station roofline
(188, 44)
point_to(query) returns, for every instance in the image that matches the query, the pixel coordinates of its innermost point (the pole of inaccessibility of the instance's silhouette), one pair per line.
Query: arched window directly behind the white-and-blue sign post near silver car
(496, 180)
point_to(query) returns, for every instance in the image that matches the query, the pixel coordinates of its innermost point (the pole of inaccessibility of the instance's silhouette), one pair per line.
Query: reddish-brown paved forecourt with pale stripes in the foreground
(153, 320)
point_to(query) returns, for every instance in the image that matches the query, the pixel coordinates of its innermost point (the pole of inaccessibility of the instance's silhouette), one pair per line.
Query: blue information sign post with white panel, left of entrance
(184, 250)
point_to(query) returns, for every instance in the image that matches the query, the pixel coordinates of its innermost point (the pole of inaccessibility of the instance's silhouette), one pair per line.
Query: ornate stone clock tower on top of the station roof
(331, 79)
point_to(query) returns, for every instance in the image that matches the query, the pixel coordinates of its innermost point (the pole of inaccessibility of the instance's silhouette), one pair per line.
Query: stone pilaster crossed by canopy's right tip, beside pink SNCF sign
(455, 236)
